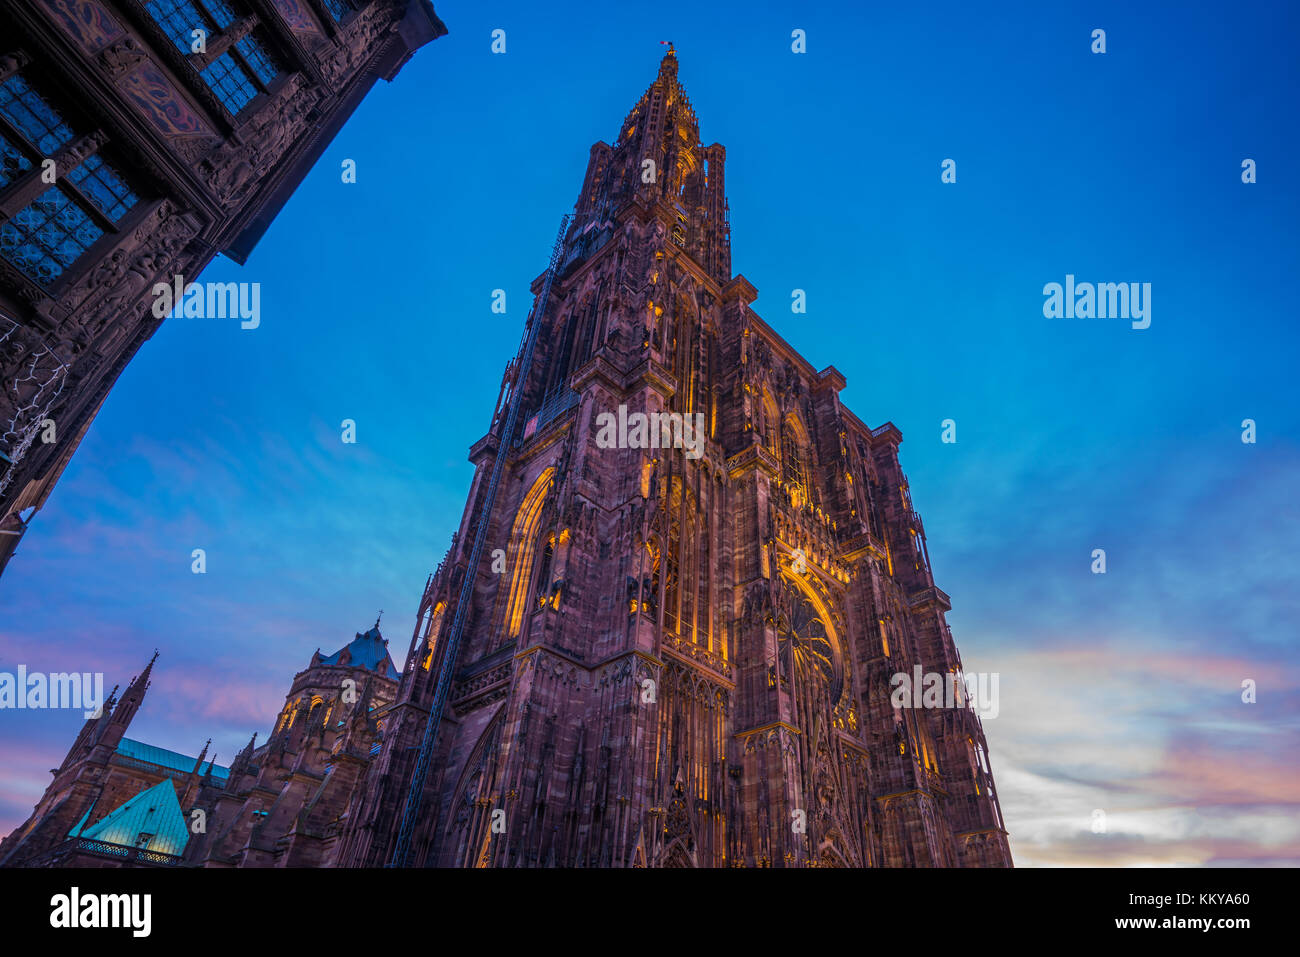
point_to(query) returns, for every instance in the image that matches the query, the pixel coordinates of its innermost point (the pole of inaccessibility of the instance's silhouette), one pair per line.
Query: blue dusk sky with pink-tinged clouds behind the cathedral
(1119, 692)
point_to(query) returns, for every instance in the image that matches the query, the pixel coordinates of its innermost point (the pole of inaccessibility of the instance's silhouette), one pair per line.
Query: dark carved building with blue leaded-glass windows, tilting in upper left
(162, 158)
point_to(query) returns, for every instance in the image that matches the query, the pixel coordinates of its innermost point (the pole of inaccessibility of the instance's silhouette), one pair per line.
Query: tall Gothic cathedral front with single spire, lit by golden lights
(666, 631)
